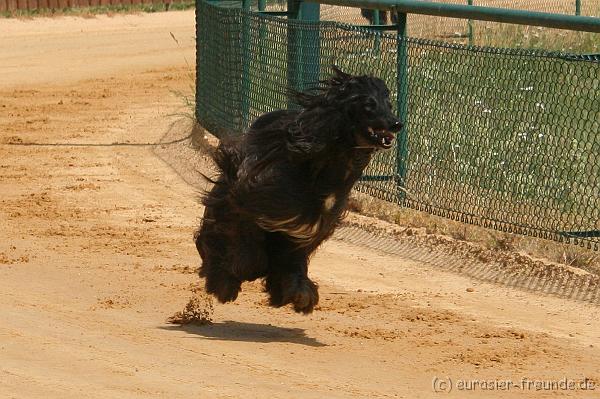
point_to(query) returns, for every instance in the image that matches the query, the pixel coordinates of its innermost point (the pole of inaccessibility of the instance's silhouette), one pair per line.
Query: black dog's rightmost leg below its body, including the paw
(287, 280)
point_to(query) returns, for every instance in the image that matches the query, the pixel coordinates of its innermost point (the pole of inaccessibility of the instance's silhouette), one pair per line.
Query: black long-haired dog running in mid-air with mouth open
(283, 187)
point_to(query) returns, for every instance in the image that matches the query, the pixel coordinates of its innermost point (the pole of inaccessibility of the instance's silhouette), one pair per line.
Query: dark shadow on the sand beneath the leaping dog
(248, 332)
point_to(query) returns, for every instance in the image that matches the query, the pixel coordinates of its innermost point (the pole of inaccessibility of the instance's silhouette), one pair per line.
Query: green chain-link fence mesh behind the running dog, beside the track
(507, 139)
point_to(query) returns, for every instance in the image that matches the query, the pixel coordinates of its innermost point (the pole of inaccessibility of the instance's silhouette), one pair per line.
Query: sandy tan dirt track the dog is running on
(97, 253)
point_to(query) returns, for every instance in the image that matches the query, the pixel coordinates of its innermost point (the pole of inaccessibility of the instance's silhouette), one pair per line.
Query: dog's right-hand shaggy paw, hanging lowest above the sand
(294, 289)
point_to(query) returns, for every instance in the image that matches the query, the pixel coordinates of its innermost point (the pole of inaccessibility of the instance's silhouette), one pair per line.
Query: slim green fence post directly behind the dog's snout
(402, 101)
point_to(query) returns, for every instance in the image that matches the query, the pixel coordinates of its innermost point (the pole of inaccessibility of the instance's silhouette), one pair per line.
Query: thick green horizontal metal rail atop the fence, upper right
(520, 17)
